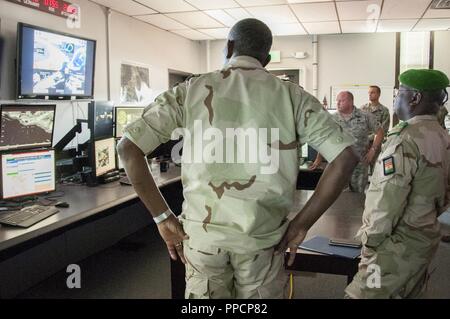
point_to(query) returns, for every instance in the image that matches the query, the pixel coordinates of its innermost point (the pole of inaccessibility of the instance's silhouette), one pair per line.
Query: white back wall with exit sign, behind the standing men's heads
(343, 59)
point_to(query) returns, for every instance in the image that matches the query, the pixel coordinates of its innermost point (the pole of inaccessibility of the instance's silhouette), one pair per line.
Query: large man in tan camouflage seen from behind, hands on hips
(235, 213)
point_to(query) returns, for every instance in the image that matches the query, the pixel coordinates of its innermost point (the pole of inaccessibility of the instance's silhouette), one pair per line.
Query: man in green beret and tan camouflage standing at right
(410, 188)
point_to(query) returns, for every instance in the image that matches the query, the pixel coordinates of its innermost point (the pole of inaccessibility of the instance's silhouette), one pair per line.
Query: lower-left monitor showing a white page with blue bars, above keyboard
(27, 173)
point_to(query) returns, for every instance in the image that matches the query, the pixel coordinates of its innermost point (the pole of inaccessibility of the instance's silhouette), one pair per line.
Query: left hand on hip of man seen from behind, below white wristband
(173, 235)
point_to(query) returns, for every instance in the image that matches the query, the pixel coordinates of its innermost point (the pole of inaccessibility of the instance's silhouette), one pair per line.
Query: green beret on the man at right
(424, 80)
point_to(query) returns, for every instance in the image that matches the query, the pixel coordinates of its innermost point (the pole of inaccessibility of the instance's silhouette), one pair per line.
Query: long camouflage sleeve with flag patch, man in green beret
(389, 190)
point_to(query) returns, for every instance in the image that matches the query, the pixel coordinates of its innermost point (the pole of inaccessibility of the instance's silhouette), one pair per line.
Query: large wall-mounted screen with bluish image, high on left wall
(54, 65)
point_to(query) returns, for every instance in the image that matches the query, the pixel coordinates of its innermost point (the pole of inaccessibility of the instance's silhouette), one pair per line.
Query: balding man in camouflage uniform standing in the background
(360, 125)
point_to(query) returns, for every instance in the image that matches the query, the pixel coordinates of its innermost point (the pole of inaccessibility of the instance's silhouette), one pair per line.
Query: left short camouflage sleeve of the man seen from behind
(158, 120)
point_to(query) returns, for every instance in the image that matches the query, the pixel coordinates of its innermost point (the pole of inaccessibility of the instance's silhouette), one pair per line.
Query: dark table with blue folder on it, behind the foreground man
(342, 220)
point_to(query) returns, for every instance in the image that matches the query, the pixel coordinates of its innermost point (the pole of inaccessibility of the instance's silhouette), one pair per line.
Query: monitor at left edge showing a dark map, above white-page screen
(26, 126)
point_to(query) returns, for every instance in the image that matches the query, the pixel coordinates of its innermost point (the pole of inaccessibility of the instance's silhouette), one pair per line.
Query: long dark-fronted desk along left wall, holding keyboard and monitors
(96, 219)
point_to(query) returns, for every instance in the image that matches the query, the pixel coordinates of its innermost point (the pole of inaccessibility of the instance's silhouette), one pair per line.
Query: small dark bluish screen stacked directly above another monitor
(101, 119)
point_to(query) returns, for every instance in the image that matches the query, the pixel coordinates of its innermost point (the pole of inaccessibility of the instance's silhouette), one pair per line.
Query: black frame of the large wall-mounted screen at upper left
(19, 93)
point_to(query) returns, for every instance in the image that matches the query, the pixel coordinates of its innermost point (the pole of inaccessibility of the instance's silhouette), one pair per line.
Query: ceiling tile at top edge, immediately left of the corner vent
(404, 9)
